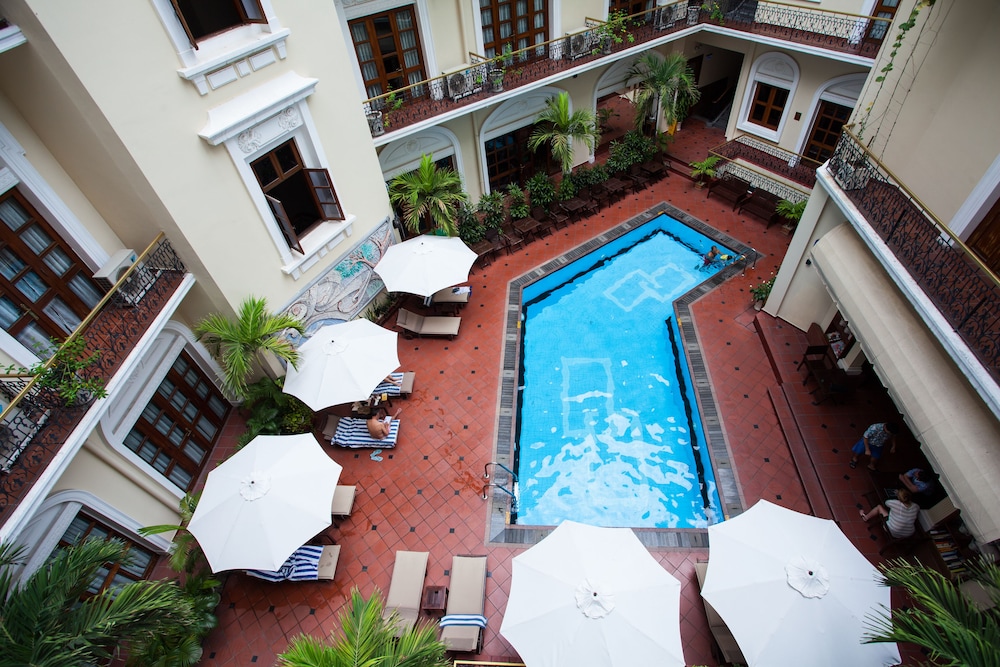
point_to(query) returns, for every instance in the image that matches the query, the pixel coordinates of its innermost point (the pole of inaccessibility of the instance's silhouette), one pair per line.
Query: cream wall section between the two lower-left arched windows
(105, 474)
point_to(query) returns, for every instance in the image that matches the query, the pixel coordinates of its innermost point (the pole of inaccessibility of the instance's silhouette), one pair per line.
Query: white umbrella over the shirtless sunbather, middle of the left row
(341, 363)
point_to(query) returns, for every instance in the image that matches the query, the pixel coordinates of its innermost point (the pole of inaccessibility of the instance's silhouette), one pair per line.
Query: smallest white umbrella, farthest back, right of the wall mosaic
(425, 264)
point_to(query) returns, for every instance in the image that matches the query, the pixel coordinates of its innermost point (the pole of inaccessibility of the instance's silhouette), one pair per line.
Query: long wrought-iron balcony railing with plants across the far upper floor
(481, 79)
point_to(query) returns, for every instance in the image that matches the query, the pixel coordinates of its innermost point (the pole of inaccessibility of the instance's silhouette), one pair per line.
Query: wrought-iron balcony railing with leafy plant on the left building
(37, 421)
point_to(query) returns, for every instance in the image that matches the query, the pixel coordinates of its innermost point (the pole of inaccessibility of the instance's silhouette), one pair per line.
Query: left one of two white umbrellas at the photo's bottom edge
(593, 596)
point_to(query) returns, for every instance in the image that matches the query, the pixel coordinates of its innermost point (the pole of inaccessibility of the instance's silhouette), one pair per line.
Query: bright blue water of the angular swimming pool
(608, 430)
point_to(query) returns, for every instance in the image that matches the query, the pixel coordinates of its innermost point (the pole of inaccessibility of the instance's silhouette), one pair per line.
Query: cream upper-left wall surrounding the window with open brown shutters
(142, 122)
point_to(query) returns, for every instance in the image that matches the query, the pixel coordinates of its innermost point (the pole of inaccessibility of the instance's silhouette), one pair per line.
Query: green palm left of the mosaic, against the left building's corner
(253, 340)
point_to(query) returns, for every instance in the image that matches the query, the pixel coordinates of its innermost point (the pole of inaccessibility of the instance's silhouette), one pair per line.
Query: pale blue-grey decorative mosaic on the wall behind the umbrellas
(344, 292)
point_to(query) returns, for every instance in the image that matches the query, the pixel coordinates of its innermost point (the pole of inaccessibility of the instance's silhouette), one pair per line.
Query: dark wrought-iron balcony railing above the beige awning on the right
(963, 289)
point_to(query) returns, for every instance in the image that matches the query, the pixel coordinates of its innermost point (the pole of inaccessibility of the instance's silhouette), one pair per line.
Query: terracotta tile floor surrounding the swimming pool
(425, 494)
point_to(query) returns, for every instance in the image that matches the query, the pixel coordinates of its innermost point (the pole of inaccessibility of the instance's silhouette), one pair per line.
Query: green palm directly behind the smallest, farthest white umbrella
(428, 198)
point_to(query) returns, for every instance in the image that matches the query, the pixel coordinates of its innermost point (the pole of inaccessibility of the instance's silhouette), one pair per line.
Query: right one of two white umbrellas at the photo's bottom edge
(793, 590)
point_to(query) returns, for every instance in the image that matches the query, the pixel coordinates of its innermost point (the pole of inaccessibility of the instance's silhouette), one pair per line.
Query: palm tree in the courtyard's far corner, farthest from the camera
(665, 87)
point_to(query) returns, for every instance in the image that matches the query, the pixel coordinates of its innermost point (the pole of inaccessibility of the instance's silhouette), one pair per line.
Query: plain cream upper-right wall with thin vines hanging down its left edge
(944, 136)
